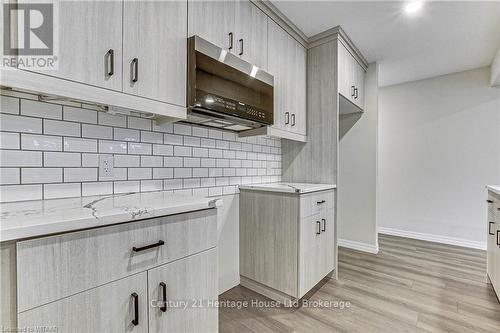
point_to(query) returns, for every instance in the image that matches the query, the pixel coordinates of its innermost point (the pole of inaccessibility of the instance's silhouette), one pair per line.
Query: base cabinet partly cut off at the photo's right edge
(493, 246)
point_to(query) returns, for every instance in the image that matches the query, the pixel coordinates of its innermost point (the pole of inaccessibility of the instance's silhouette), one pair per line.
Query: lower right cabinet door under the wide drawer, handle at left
(188, 290)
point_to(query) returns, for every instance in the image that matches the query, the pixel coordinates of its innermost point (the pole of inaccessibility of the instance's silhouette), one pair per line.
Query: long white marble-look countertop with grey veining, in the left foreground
(42, 217)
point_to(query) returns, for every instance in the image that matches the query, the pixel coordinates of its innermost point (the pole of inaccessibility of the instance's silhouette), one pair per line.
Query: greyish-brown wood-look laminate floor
(410, 286)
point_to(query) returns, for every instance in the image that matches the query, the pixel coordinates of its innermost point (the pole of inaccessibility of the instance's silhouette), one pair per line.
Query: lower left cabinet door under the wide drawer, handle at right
(108, 308)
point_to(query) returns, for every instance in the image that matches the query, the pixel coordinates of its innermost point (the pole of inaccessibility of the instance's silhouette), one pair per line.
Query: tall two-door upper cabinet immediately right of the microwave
(287, 63)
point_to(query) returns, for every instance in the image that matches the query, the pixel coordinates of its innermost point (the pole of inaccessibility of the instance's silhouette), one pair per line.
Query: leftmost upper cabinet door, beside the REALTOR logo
(90, 43)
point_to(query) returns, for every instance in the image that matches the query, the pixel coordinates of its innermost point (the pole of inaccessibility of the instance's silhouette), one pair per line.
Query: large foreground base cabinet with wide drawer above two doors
(155, 275)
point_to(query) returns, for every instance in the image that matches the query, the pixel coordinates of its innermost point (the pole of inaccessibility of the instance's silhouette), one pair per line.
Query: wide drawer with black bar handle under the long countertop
(58, 266)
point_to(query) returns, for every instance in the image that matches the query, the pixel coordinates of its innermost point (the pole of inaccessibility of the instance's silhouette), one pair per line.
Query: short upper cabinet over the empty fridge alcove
(351, 78)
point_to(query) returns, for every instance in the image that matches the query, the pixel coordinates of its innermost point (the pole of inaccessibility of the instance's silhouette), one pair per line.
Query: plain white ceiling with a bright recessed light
(444, 37)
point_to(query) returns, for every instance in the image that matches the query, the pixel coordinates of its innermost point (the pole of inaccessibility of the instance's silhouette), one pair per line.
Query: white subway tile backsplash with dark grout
(147, 156)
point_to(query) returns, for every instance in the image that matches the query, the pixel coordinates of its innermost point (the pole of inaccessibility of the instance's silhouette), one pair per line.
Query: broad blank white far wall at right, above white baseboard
(438, 148)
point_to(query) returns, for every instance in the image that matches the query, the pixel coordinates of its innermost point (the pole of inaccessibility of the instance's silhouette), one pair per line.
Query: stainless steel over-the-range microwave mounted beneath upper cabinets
(226, 92)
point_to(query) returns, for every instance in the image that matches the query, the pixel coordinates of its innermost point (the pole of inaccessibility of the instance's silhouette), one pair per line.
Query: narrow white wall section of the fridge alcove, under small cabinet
(357, 172)
